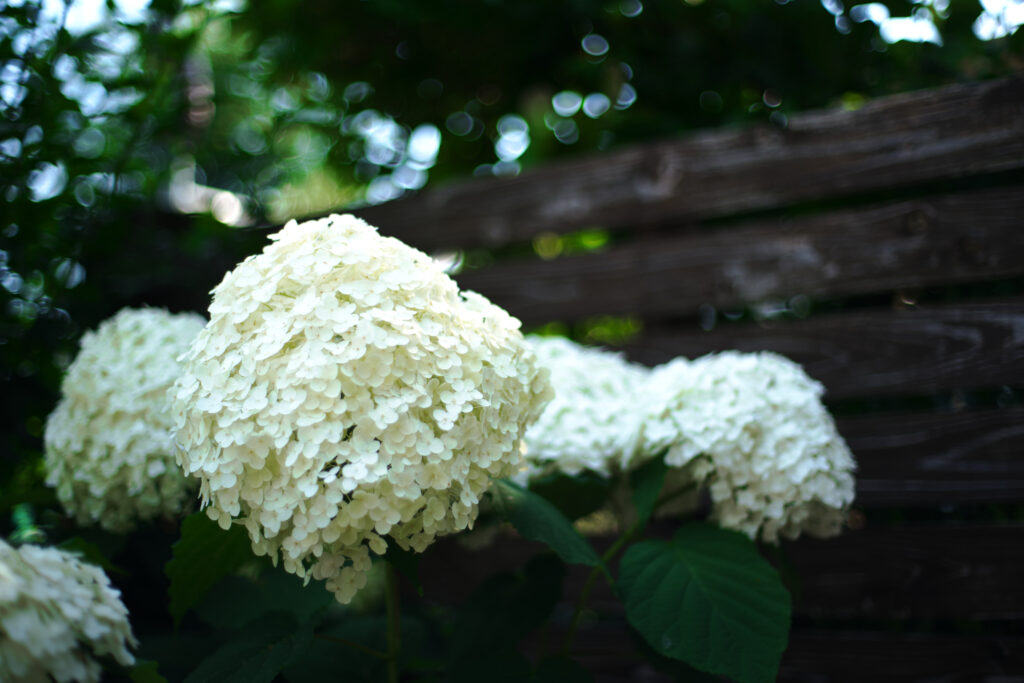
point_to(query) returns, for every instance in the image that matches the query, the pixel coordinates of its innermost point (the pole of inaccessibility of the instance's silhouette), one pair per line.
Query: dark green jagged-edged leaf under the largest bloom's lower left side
(203, 557)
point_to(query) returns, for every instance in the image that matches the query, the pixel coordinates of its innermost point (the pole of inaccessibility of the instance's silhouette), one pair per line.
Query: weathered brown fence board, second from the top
(970, 237)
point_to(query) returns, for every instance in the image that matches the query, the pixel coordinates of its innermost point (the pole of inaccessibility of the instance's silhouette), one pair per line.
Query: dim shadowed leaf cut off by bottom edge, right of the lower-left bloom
(258, 654)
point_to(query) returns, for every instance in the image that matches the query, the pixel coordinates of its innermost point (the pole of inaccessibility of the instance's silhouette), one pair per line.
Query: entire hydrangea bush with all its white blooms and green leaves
(345, 407)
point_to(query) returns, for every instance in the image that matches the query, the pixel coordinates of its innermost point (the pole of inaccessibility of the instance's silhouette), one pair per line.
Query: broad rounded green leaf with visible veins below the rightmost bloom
(708, 599)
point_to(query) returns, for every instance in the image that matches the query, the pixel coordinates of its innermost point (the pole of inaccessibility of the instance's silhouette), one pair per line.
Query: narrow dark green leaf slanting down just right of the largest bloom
(538, 520)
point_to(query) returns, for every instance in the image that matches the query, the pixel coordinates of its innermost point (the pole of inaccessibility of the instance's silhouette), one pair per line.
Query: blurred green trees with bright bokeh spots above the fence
(144, 147)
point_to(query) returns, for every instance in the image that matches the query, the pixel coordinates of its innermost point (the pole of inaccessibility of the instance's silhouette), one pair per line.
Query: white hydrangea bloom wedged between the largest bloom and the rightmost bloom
(593, 423)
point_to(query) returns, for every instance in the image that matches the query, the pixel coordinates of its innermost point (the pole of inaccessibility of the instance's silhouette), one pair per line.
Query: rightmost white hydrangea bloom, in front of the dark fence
(752, 429)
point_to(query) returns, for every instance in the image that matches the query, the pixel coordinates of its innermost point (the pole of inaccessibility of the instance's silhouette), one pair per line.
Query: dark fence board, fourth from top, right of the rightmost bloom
(974, 457)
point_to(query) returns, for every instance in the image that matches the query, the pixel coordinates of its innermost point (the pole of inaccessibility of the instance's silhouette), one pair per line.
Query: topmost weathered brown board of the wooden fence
(890, 143)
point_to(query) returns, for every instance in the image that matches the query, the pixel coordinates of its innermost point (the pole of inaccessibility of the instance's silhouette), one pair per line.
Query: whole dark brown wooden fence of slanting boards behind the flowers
(883, 249)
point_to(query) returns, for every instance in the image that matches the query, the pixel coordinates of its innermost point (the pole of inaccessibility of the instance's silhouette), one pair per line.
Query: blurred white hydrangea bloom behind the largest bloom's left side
(110, 443)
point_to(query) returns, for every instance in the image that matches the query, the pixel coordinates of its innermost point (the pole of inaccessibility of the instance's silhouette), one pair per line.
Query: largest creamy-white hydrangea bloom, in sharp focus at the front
(346, 391)
